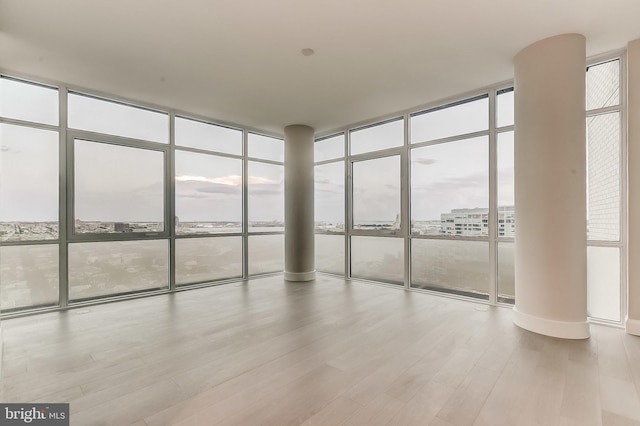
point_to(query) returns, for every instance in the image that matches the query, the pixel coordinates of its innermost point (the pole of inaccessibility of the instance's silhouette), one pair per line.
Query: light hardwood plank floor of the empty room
(330, 352)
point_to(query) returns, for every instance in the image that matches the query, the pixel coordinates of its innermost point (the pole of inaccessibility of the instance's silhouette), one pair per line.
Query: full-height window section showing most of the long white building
(450, 198)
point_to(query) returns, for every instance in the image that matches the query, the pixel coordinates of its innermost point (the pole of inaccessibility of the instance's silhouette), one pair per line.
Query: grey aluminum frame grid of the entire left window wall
(66, 236)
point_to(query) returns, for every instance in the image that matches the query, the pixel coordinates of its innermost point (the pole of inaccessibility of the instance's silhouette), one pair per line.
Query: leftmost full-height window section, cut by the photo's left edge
(29, 195)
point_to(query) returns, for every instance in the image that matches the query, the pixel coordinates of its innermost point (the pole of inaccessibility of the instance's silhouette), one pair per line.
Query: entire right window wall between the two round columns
(429, 198)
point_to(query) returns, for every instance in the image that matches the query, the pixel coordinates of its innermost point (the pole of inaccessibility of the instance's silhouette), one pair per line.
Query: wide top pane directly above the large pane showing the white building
(457, 119)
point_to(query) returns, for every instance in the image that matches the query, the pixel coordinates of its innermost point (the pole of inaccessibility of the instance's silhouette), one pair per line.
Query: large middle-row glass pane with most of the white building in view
(450, 188)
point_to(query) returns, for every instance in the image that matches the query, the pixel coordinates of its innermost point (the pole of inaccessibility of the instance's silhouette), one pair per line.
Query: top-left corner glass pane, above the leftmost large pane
(27, 101)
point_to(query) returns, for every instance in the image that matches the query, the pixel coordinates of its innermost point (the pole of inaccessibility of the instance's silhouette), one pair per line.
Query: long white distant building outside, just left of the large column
(475, 222)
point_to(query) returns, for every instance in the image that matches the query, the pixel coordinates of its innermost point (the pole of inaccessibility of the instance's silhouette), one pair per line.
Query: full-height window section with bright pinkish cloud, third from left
(208, 168)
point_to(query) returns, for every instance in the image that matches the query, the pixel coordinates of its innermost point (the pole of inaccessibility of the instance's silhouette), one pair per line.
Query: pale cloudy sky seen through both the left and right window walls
(116, 183)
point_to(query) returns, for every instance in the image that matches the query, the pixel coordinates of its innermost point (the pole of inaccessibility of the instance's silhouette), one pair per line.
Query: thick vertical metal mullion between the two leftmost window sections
(63, 203)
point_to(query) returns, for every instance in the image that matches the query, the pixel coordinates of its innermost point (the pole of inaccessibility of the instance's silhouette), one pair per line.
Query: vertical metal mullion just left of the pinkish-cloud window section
(170, 201)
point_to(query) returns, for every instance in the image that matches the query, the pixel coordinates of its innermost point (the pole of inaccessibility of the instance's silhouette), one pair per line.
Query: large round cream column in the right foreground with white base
(550, 188)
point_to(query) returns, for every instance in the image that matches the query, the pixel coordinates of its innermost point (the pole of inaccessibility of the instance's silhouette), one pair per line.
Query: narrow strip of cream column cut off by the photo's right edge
(633, 139)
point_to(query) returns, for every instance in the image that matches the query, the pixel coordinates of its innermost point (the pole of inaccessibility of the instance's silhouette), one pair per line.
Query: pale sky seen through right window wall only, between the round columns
(444, 176)
